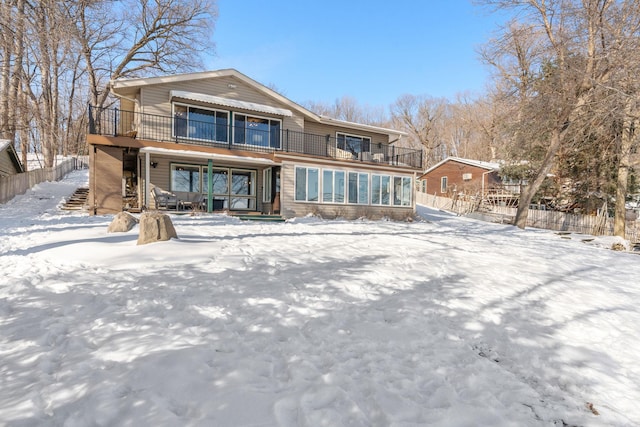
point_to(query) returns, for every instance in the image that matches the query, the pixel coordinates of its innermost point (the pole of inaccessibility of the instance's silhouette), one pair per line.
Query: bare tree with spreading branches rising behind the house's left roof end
(154, 36)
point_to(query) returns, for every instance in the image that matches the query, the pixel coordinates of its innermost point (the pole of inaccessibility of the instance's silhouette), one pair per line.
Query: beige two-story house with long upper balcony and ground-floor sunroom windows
(224, 142)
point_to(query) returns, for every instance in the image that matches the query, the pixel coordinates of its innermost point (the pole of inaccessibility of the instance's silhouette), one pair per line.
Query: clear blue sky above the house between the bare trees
(373, 51)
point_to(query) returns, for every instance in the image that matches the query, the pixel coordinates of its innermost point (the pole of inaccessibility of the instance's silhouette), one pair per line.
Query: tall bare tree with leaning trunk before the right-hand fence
(557, 66)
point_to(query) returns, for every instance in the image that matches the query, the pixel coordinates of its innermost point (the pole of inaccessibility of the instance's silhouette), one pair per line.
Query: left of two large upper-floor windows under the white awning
(200, 123)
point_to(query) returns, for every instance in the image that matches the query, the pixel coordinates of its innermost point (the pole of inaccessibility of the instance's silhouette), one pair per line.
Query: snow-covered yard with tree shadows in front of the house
(444, 321)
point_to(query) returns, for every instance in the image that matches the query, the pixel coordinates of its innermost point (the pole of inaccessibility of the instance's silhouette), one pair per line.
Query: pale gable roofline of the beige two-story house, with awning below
(121, 85)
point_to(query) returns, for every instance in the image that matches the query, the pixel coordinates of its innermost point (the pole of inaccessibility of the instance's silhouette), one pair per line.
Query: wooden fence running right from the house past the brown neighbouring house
(549, 220)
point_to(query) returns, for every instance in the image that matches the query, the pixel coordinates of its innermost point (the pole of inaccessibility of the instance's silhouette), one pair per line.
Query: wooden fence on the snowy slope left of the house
(12, 185)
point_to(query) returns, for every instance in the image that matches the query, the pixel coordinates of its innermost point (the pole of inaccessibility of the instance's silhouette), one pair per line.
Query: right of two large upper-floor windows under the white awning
(257, 131)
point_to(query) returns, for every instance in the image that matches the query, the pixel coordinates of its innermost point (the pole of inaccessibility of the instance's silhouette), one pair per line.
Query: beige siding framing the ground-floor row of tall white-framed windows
(291, 208)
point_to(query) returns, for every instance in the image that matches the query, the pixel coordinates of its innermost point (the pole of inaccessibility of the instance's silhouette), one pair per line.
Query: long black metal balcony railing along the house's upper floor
(115, 122)
